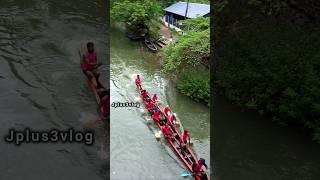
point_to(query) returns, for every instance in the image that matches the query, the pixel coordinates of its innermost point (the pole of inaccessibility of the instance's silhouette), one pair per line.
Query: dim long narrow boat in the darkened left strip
(97, 95)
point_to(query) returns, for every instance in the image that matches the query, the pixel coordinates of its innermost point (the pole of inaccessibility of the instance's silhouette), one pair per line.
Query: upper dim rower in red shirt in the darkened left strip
(89, 64)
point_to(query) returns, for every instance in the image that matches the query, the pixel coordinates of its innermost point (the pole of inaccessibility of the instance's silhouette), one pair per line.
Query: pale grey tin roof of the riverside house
(194, 9)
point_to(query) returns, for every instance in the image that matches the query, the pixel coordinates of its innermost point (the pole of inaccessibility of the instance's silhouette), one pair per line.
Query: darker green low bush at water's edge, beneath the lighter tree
(195, 84)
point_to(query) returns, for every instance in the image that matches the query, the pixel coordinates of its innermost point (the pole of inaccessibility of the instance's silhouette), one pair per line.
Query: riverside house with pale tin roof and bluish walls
(184, 10)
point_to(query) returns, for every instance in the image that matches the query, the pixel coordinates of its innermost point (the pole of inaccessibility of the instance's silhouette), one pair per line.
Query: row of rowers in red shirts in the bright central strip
(165, 123)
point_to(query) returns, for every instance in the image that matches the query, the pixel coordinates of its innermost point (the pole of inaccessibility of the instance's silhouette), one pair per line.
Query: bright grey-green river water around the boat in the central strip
(135, 153)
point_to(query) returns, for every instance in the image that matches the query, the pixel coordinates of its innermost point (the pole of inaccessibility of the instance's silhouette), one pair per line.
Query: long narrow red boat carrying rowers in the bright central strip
(190, 158)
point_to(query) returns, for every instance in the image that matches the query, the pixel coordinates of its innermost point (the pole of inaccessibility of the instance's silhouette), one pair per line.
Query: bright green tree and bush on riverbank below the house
(191, 51)
